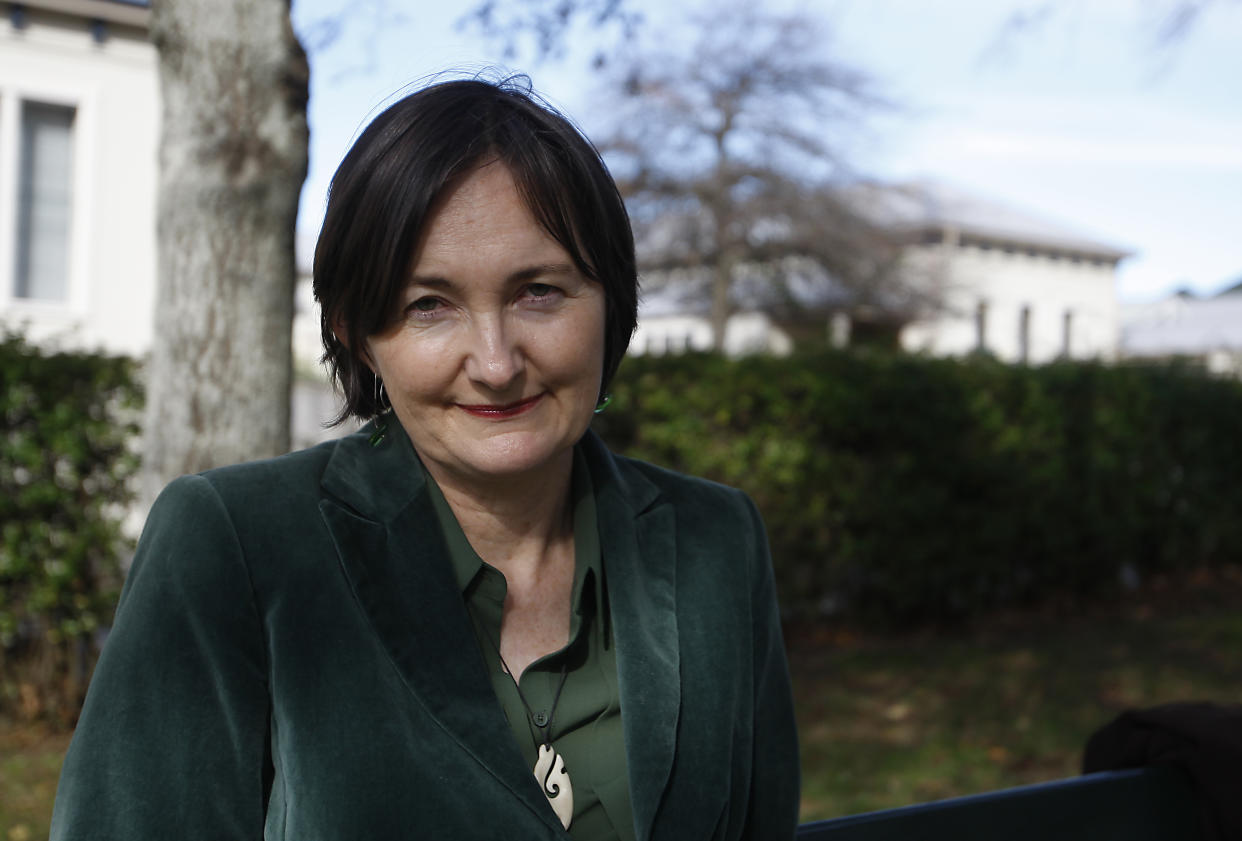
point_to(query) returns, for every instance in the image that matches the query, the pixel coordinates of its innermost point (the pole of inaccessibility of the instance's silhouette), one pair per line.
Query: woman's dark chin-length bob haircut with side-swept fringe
(384, 189)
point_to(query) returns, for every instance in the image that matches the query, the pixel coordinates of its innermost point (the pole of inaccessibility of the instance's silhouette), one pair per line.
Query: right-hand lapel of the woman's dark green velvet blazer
(638, 539)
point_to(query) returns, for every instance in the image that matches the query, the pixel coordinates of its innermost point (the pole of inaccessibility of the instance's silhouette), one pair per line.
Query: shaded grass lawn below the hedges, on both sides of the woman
(889, 722)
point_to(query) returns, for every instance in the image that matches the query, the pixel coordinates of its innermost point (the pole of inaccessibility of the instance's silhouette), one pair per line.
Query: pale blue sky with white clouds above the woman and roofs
(1086, 120)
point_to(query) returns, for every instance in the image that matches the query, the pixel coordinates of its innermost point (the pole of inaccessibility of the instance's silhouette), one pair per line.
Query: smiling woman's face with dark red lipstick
(495, 362)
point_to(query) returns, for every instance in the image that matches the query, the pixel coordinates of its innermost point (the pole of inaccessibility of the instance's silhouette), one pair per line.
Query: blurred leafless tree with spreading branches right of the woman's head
(728, 155)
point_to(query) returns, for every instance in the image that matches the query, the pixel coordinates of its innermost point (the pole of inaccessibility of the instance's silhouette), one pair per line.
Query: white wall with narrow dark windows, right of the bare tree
(1008, 283)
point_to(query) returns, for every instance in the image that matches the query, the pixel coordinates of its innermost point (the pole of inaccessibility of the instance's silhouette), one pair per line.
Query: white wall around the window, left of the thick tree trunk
(114, 88)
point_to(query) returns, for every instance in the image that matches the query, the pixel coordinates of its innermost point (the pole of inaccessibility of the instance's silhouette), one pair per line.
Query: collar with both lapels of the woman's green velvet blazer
(391, 548)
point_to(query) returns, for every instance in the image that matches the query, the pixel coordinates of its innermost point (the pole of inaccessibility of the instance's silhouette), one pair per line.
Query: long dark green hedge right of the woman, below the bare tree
(904, 490)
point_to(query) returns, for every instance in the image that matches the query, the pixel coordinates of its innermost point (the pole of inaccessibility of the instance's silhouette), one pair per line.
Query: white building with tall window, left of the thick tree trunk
(79, 157)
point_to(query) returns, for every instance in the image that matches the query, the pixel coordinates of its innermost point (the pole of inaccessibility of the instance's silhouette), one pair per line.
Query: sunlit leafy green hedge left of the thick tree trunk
(65, 466)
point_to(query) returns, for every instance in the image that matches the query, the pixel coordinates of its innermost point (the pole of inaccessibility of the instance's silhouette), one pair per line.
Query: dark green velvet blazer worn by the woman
(292, 659)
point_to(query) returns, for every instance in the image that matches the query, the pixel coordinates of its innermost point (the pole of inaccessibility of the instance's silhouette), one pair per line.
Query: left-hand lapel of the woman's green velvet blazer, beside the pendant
(394, 556)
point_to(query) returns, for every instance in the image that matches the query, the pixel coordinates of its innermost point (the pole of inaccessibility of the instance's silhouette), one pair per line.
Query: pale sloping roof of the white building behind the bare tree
(931, 207)
